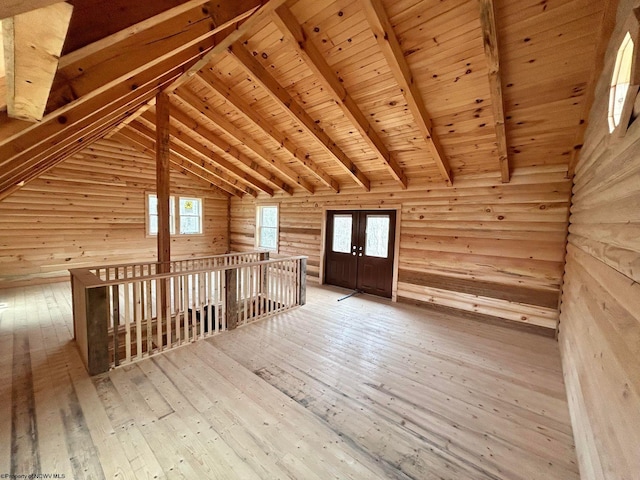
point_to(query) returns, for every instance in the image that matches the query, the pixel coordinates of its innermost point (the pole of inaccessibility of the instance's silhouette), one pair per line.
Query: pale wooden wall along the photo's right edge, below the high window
(600, 311)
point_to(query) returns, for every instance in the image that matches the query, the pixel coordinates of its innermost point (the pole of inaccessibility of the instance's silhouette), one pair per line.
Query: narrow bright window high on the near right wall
(624, 81)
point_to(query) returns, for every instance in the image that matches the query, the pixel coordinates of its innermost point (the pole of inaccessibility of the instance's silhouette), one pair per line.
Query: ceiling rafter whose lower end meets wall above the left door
(207, 77)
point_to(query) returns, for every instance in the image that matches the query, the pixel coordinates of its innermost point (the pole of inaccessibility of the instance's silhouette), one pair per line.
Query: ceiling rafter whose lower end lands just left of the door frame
(198, 105)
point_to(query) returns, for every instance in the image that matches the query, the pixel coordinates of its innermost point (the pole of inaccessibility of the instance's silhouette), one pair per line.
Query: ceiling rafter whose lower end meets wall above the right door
(255, 69)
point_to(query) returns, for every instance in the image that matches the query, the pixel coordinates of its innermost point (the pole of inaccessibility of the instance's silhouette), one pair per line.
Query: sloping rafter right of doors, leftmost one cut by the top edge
(388, 42)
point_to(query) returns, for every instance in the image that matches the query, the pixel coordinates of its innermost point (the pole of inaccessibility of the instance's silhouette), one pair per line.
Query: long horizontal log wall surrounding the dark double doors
(491, 249)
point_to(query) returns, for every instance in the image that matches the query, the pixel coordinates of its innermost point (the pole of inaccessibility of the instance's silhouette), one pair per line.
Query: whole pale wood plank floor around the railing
(357, 389)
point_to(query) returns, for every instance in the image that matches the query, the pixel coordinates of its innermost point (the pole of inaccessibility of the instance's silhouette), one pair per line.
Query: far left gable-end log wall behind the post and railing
(90, 210)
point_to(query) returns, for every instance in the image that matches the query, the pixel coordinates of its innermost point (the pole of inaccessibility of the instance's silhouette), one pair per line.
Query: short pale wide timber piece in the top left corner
(32, 45)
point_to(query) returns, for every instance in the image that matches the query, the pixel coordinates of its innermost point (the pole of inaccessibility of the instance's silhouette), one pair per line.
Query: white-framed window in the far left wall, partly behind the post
(189, 215)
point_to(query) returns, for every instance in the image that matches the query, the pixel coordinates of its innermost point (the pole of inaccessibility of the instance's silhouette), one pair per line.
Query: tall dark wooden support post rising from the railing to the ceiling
(162, 188)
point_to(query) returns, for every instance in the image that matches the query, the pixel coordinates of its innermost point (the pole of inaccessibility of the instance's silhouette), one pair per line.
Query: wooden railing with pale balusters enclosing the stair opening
(123, 313)
